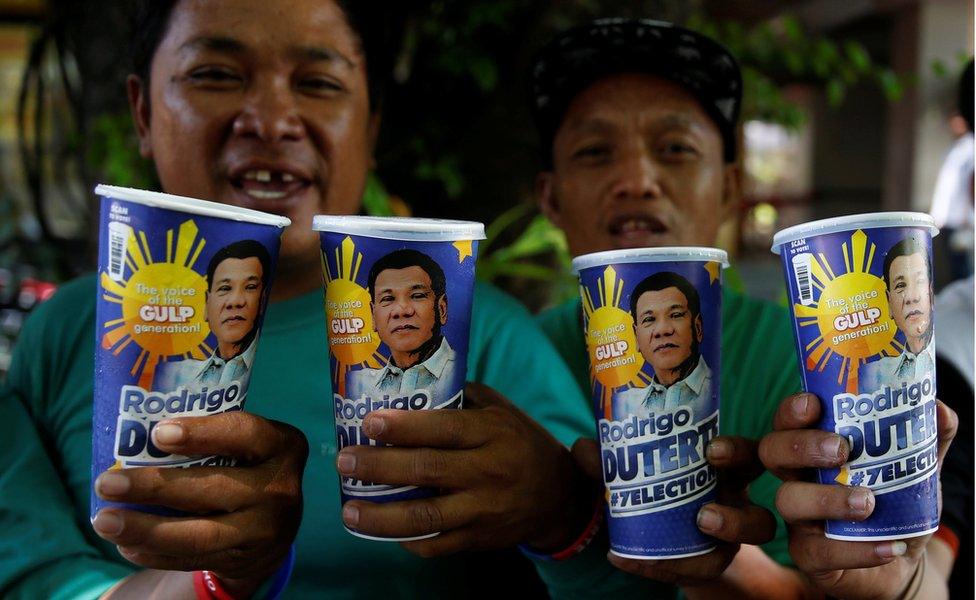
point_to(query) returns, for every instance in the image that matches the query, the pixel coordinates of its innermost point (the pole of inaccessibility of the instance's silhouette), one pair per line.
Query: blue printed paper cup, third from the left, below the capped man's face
(652, 321)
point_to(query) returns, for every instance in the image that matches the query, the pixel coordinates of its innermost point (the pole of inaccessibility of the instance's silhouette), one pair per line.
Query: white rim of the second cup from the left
(401, 228)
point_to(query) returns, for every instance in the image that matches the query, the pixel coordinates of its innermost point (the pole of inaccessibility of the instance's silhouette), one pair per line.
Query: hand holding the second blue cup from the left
(504, 479)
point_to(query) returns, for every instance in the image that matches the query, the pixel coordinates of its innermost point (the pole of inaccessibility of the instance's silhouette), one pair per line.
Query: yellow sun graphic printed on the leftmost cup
(167, 284)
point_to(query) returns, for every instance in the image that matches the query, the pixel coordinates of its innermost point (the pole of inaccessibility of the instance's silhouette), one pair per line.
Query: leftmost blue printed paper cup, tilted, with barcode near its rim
(182, 288)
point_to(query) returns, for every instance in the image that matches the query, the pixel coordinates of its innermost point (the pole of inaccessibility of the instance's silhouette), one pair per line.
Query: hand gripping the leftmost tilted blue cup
(240, 521)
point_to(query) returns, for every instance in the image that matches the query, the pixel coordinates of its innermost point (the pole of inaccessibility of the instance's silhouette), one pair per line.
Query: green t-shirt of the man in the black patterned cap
(758, 371)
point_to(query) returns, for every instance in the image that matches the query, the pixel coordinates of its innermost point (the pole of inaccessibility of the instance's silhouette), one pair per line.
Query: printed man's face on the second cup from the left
(404, 312)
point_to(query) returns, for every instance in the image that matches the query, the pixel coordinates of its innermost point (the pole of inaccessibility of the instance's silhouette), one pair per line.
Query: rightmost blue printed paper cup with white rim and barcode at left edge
(860, 292)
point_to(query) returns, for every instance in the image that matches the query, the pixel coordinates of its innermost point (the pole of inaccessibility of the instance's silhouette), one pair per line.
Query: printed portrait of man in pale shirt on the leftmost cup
(237, 290)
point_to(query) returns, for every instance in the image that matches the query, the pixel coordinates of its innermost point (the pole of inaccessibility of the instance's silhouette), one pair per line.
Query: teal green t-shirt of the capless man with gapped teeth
(47, 546)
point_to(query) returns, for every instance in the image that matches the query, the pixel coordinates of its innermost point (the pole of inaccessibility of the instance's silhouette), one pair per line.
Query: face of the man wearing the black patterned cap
(636, 162)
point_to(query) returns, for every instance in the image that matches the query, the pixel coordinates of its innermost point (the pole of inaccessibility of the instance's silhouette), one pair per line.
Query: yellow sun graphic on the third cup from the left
(608, 326)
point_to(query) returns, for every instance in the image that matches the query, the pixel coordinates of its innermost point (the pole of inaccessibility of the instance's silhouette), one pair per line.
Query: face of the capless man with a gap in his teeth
(263, 105)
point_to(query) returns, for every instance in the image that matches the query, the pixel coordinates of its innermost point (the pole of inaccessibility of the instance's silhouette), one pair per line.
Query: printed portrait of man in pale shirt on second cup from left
(408, 294)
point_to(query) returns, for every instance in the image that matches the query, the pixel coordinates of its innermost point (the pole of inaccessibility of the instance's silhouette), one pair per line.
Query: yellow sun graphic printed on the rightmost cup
(850, 290)
